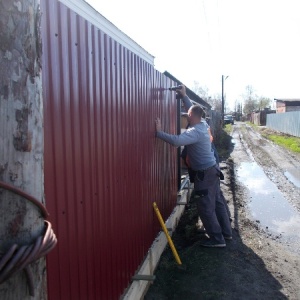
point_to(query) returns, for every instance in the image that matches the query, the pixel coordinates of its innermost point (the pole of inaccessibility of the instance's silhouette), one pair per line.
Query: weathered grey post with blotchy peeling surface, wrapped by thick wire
(21, 138)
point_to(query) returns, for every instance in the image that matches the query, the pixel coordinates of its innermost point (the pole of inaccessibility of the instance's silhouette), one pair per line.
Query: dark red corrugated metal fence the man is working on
(103, 166)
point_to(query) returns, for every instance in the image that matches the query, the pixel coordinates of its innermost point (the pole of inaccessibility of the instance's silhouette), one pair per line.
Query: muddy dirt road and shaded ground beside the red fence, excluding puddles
(255, 264)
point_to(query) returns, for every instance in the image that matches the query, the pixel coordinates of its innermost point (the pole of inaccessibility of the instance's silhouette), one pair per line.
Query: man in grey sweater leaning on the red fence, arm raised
(211, 208)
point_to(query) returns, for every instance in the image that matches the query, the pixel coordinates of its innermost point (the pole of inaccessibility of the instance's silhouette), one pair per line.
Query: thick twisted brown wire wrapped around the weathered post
(19, 257)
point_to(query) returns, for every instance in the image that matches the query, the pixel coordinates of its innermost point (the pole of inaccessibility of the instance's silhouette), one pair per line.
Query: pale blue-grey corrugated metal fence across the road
(288, 122)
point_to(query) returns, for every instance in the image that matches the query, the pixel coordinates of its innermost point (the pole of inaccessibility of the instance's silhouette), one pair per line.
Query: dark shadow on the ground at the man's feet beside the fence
(234, 272)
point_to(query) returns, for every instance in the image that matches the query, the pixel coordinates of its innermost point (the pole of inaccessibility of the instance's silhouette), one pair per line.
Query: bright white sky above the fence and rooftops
(253, 42)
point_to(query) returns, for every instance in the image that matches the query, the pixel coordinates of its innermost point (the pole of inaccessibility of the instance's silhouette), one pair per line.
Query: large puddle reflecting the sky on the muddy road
(268, 206)
